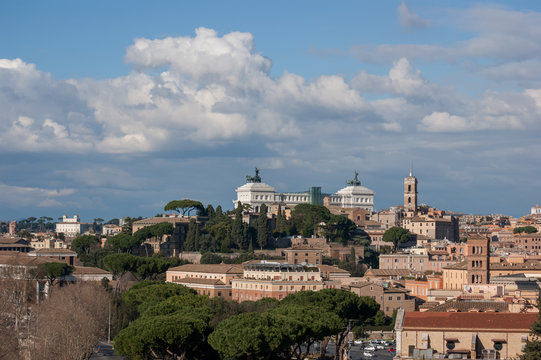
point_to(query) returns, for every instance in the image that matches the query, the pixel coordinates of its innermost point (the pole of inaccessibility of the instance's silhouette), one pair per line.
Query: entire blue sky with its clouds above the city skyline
(114, 108)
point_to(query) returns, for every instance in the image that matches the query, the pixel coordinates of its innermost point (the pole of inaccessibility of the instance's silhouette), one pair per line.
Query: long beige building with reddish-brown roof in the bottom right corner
(462, 335)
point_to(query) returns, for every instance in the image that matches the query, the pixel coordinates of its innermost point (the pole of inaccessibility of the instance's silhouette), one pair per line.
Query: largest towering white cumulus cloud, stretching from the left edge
(209, 88)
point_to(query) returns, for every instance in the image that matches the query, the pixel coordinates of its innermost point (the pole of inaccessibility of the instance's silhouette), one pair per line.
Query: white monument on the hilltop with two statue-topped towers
(255, 193)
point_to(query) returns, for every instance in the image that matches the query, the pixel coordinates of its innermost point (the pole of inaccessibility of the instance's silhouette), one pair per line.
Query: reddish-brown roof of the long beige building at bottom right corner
(477, 321)
